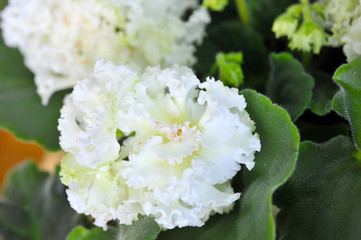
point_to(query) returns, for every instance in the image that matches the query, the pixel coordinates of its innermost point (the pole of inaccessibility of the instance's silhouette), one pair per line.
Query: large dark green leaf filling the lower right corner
(322, 198)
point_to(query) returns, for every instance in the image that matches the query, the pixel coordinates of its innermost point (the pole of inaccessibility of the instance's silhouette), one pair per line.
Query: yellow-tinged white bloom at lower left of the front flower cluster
(101, 193)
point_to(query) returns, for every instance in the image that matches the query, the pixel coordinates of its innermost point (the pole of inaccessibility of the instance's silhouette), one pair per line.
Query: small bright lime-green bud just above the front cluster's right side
(230, 71)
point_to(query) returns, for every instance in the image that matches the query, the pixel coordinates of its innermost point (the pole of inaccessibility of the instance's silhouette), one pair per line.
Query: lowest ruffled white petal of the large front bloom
(188, 202)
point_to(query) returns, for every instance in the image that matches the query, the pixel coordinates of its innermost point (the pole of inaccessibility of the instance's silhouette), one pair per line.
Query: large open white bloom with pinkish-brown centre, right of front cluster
(191, 142)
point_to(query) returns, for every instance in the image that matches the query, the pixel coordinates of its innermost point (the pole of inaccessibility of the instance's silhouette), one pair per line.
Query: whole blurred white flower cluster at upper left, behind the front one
(62, 39)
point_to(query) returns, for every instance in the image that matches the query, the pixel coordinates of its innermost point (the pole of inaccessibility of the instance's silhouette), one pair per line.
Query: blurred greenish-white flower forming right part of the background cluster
(157, 34)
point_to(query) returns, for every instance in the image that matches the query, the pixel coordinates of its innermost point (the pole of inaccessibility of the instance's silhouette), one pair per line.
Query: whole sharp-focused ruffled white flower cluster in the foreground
(161, 144)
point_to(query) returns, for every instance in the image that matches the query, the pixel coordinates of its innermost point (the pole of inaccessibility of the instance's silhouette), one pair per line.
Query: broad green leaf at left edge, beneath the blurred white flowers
(21, 111)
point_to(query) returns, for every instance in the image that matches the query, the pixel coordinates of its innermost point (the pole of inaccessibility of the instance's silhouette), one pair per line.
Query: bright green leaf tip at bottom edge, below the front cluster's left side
(81, 233)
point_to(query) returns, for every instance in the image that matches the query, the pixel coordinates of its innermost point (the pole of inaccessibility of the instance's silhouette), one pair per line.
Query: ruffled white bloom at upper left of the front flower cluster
(88, 123)
